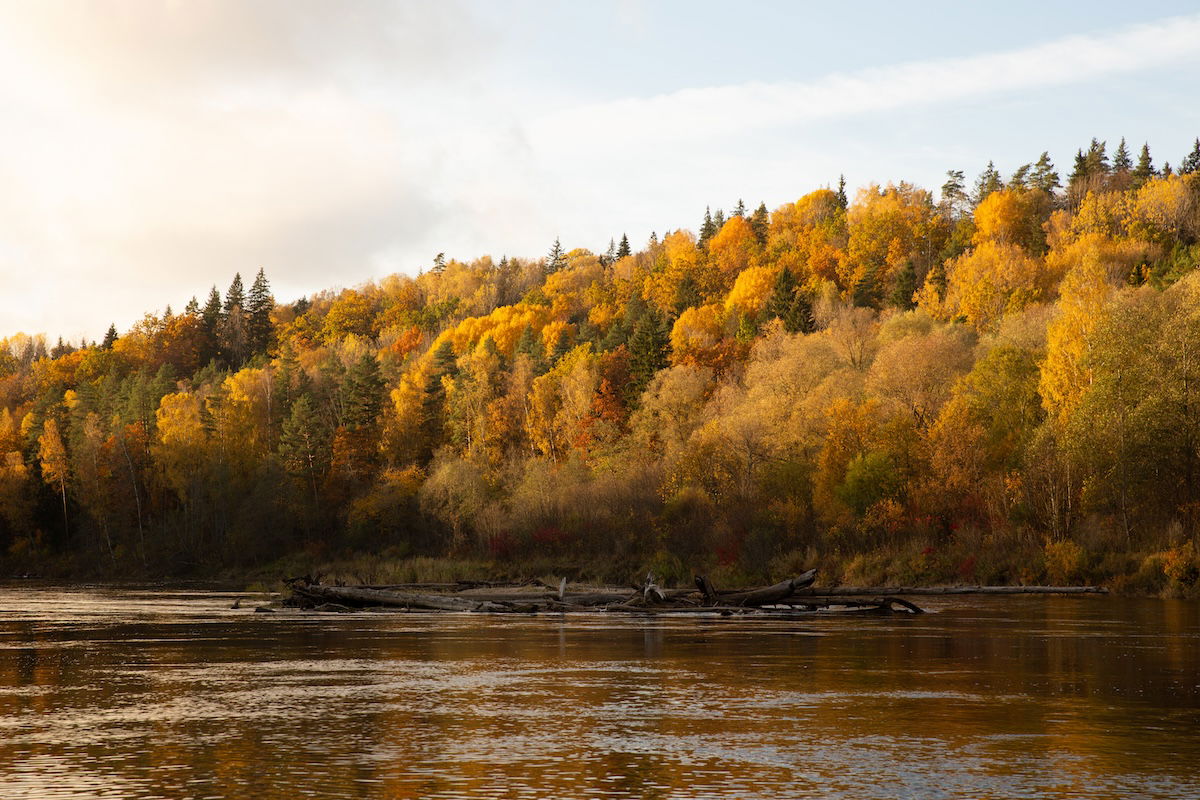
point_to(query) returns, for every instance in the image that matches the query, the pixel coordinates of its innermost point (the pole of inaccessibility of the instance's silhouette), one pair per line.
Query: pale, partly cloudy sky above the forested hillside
(151, 149)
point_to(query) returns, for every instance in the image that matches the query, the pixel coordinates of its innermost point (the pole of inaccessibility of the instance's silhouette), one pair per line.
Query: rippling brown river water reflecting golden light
(135, 694)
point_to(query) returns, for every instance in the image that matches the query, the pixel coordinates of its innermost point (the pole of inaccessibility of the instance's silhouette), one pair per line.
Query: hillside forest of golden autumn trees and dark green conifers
(995, 384)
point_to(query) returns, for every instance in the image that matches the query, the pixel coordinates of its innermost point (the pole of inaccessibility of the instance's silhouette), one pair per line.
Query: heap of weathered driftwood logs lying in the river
(788, 598)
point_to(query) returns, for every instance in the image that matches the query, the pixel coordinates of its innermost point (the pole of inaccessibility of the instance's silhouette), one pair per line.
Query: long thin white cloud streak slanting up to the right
(710, 113)
